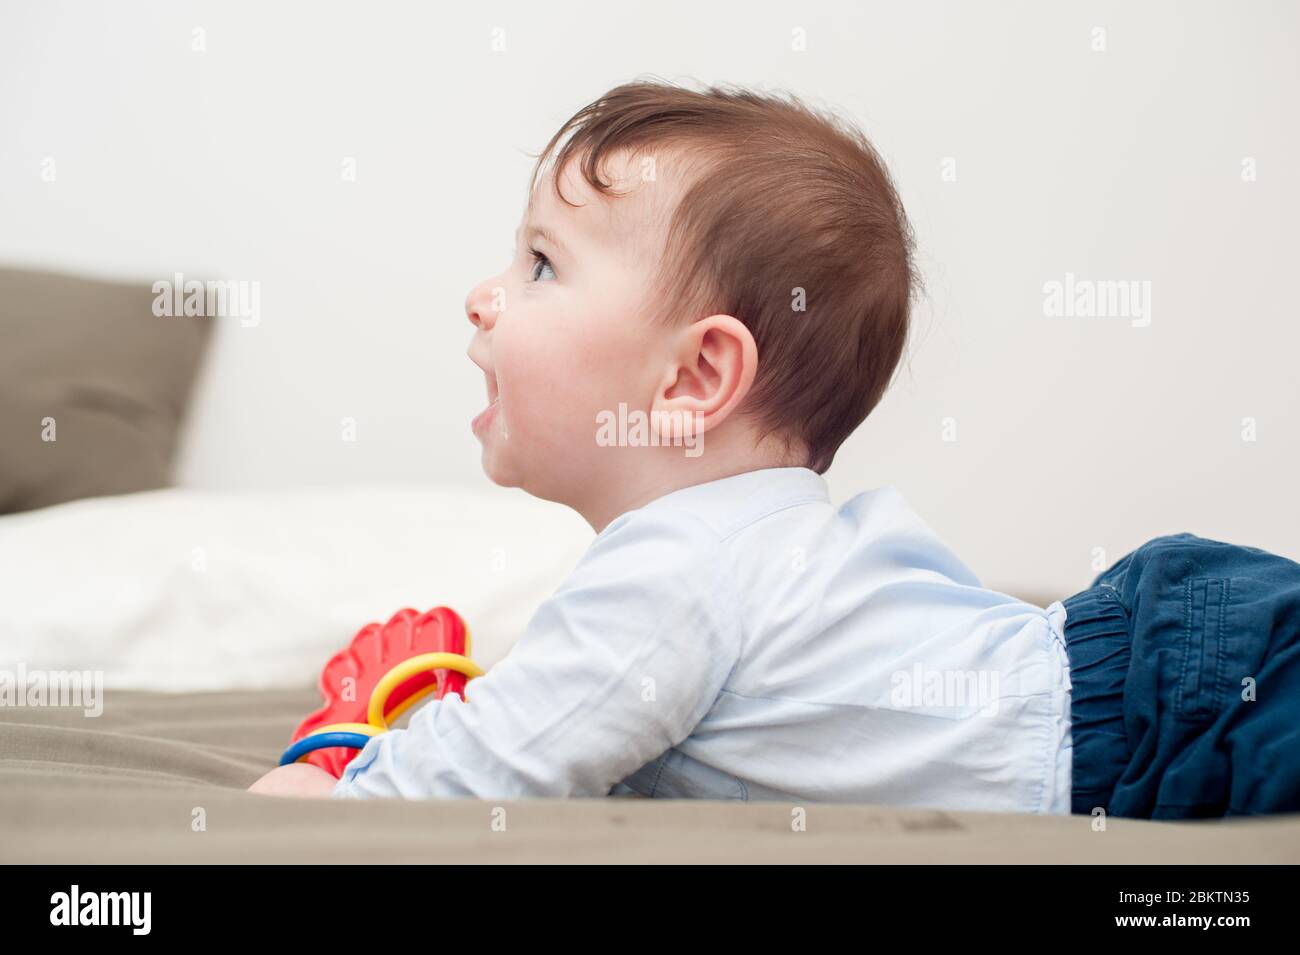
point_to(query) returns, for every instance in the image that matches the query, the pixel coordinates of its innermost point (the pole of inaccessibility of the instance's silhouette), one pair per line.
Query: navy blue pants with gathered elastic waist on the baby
(1185, 662)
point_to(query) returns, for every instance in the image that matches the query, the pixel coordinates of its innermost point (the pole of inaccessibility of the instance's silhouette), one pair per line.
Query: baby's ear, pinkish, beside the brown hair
(716, 366)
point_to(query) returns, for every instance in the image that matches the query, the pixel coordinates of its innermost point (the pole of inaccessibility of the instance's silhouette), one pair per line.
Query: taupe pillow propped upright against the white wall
(114, 379)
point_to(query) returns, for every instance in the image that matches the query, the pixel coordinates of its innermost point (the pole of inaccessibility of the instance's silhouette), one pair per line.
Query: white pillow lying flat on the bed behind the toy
(187, 589)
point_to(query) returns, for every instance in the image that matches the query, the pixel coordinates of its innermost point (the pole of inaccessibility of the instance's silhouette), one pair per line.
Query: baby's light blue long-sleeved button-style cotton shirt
(747, 640)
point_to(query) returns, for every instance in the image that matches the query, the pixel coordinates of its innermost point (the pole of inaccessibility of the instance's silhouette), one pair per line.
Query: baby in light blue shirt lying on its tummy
(710, 293)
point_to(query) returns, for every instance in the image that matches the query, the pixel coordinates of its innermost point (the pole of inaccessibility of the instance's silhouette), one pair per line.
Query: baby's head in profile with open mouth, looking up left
(704, 284)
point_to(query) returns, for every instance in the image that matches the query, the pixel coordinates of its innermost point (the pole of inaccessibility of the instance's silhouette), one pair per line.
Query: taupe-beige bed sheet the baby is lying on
(129, 787)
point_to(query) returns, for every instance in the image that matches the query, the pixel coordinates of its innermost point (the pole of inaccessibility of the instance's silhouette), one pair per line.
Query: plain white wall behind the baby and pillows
(1072, 433)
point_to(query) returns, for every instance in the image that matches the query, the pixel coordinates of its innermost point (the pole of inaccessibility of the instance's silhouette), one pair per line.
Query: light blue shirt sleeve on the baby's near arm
(616, 668)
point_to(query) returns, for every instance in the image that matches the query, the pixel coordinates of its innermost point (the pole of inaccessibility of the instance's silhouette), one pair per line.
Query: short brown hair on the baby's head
(786, 198)
